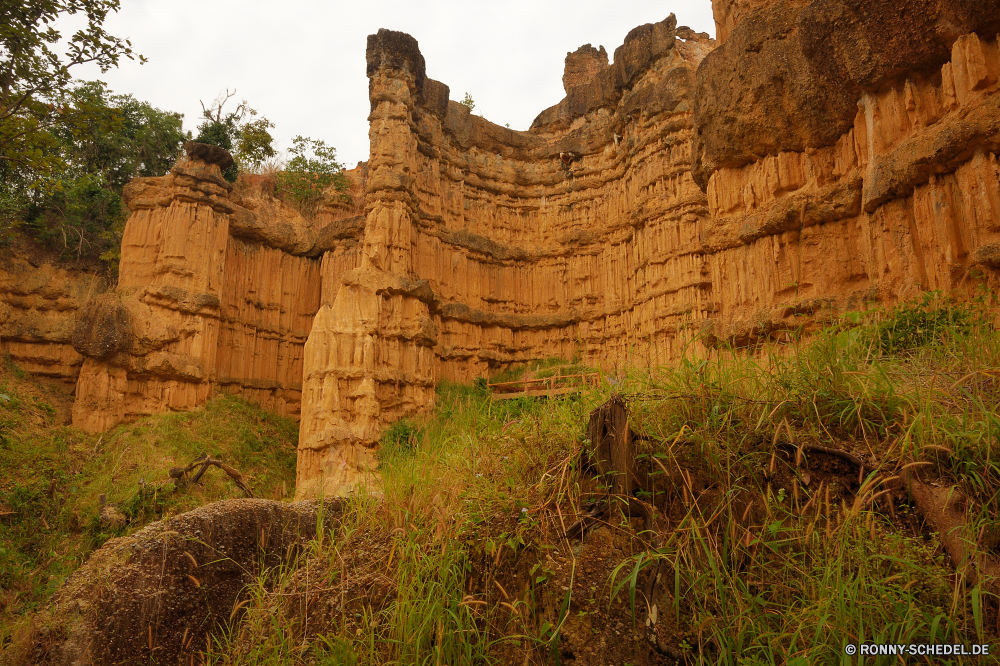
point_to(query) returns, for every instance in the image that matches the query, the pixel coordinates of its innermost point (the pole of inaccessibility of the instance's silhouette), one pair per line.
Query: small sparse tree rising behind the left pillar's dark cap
(249, 140)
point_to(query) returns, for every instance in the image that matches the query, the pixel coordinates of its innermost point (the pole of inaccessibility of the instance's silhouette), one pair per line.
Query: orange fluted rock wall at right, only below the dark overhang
(907, 200)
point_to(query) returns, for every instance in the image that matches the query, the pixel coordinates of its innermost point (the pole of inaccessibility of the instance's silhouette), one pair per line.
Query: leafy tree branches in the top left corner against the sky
(36, 95)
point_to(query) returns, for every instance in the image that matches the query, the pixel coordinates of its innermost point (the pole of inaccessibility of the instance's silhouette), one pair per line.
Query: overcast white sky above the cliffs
(302, 63)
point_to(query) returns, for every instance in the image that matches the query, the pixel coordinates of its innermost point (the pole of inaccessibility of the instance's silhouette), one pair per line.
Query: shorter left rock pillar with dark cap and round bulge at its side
(151, 345)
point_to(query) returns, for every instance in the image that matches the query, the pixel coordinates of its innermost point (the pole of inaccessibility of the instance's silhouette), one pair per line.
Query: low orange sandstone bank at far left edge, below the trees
(38, 306)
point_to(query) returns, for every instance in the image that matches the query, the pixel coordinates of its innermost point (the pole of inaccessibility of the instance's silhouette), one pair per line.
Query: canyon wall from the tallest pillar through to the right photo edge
(828, 155)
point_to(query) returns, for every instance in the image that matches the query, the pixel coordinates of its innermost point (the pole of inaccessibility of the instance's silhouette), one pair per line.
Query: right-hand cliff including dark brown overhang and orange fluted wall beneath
(849, 152)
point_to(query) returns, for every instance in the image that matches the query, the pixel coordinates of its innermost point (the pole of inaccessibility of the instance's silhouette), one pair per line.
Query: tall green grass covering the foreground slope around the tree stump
(458, 557)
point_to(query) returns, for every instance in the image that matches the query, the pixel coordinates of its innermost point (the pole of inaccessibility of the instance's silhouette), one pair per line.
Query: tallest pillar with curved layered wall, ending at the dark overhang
(485, 246)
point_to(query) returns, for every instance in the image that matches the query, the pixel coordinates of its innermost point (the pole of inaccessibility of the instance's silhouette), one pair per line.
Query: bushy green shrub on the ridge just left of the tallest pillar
(311, 171)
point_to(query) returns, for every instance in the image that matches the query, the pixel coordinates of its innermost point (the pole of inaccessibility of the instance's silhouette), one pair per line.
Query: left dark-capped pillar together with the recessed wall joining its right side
(216, 292)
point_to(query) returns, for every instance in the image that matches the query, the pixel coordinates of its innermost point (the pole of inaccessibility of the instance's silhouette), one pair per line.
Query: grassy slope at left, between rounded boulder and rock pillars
(52, 476)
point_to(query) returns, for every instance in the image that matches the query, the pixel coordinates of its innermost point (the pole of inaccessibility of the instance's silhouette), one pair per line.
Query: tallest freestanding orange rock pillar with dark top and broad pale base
(369, 358)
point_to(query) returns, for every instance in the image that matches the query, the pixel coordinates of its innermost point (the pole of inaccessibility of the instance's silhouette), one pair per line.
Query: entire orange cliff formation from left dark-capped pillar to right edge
(822, 155)
